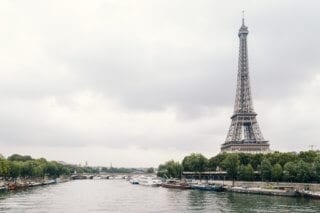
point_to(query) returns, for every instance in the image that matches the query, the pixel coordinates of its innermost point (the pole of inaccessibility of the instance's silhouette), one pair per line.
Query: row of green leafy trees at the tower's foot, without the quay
(303, 167)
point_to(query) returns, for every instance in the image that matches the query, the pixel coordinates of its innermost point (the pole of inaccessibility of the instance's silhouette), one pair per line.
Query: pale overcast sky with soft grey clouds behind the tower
(140, 82)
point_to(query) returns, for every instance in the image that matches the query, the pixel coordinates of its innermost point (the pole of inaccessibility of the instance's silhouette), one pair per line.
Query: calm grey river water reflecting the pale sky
(121, 196)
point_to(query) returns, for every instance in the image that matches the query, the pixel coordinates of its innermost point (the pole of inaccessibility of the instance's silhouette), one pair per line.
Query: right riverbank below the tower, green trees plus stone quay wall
(284, 174)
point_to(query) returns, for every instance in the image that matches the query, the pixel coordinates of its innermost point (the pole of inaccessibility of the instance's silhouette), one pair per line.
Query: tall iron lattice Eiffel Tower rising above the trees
(244, 134)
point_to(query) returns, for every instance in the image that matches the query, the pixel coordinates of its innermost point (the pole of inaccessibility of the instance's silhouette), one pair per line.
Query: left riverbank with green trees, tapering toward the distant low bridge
(23, 171)
